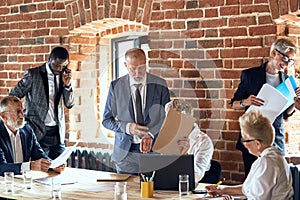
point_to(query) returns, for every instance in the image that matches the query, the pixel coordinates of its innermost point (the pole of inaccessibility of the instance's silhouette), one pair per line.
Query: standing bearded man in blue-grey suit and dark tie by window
(135, 133)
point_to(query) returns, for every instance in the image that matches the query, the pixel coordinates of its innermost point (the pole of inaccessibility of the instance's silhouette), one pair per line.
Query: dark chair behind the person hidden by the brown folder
(214, 174)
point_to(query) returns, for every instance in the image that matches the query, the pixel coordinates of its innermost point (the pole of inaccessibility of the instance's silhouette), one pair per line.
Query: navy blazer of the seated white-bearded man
(30, 146)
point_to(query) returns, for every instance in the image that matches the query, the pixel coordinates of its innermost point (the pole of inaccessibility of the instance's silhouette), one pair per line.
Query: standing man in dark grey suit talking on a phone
(47, 89)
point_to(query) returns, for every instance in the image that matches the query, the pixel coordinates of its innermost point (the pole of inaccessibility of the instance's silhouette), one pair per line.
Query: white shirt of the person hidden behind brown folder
(202, 147)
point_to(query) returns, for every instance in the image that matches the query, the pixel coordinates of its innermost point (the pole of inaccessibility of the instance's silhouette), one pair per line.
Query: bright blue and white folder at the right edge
(288, 88)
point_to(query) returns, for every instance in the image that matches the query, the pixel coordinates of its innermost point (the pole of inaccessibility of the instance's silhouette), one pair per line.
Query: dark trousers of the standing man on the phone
(50, 143)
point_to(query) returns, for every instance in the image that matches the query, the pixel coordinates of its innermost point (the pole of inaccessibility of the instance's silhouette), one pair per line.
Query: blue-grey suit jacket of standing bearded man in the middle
(119, 111)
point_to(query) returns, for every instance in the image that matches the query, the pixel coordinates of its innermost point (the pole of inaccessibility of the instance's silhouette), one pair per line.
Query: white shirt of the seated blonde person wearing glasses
(269, 177)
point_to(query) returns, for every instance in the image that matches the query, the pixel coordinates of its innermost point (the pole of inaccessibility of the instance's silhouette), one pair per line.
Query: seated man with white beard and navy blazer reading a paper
(19, 148)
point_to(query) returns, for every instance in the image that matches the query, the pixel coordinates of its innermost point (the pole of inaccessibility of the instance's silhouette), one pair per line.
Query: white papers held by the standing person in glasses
(274, 102)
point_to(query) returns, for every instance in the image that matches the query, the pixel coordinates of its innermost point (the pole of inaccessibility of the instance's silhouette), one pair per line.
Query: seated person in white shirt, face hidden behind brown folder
(197, 143)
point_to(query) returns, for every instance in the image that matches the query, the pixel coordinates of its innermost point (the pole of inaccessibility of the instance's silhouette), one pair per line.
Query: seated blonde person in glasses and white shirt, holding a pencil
(270, 176)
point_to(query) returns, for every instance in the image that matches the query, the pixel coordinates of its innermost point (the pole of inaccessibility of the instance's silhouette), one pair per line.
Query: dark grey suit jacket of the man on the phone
(34, 86)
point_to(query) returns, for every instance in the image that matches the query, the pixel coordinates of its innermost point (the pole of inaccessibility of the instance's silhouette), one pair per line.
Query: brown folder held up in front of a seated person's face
(176, 126)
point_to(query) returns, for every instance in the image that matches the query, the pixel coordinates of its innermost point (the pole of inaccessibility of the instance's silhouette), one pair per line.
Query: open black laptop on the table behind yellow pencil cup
(167, 169)
